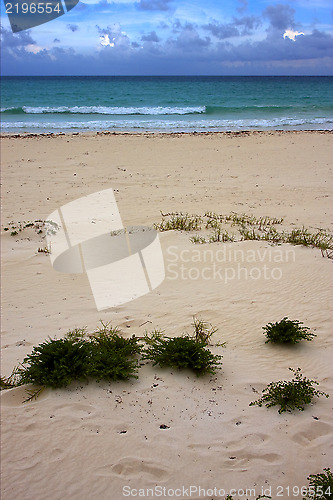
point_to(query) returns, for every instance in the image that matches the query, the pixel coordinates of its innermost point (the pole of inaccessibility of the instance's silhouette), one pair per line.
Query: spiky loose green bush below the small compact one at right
(289, 395)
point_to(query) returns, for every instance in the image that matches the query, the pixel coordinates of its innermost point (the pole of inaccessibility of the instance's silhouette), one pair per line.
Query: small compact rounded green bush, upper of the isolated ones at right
(287, 331)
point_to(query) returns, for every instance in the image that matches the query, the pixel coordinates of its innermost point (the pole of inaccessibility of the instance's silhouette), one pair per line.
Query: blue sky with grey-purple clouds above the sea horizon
(175, 37)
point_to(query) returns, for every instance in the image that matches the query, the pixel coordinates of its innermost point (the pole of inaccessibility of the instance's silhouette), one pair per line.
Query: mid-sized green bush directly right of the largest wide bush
(181, 352)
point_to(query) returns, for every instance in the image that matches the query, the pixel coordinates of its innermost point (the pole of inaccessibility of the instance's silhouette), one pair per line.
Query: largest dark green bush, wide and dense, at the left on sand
(105, 355)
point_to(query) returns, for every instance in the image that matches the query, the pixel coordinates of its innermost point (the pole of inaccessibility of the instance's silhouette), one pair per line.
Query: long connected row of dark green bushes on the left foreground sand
(107, 355)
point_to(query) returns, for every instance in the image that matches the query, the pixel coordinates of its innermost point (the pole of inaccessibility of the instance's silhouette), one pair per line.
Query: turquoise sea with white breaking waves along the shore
(165, 104)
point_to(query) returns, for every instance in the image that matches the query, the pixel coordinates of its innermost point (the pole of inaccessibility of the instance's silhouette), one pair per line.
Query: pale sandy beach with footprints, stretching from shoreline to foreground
(105, 441)
